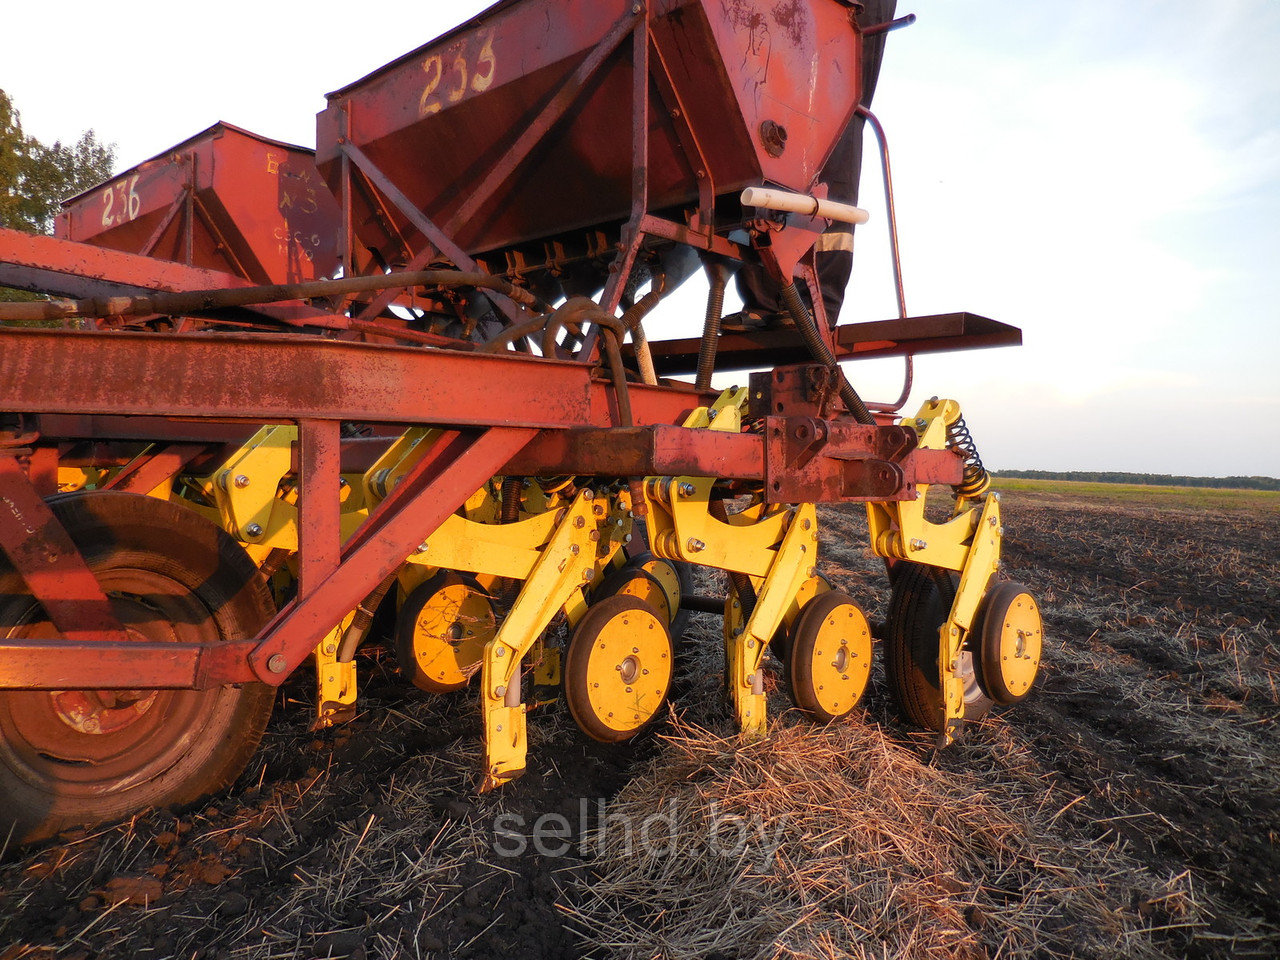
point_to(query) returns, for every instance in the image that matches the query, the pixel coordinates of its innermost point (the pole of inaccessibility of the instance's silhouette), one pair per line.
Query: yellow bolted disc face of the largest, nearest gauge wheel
(629, 670)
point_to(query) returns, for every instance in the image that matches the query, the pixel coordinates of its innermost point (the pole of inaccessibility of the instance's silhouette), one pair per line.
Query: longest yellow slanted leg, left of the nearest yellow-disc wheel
(568, 563)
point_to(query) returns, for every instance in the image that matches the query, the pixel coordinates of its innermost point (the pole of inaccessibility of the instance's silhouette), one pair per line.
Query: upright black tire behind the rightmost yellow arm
(918, 606)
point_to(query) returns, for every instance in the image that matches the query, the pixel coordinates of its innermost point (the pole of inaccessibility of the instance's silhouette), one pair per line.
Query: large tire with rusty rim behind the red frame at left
(175, 577)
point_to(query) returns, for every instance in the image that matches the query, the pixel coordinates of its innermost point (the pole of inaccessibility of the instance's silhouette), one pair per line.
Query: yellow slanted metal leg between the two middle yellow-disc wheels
(793, 564)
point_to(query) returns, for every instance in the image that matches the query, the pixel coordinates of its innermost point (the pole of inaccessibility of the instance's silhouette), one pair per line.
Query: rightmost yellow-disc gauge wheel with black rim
(1011, 637)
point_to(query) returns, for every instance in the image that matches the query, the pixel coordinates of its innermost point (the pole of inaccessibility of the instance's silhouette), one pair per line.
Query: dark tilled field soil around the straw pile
(1158, 714)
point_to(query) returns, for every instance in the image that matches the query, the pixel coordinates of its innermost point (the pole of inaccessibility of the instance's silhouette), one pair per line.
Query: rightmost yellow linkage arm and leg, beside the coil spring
(970, 543)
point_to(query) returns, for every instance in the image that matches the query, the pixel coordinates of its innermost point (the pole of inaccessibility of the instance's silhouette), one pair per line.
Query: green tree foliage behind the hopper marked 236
(36, 179)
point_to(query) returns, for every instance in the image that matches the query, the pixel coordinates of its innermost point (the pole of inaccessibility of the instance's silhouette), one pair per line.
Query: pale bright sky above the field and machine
(1104, 176)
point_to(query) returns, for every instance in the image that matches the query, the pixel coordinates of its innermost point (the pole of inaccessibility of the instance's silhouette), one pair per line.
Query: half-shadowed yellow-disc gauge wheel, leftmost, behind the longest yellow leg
(442, 630)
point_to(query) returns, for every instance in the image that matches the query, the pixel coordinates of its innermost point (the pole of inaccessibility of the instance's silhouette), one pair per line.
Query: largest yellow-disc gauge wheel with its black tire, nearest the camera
(618, 670)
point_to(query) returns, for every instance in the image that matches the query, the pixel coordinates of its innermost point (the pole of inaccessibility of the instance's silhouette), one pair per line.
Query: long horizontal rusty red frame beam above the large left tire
(277, 380)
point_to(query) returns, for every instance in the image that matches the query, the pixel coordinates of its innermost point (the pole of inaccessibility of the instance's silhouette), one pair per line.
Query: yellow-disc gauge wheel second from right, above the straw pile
(830, 657)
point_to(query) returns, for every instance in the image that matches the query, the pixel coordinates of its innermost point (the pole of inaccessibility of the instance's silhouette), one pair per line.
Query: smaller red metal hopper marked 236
(226, 199)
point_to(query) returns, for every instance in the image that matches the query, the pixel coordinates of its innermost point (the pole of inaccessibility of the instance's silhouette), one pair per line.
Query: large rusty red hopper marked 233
(735, 67)
